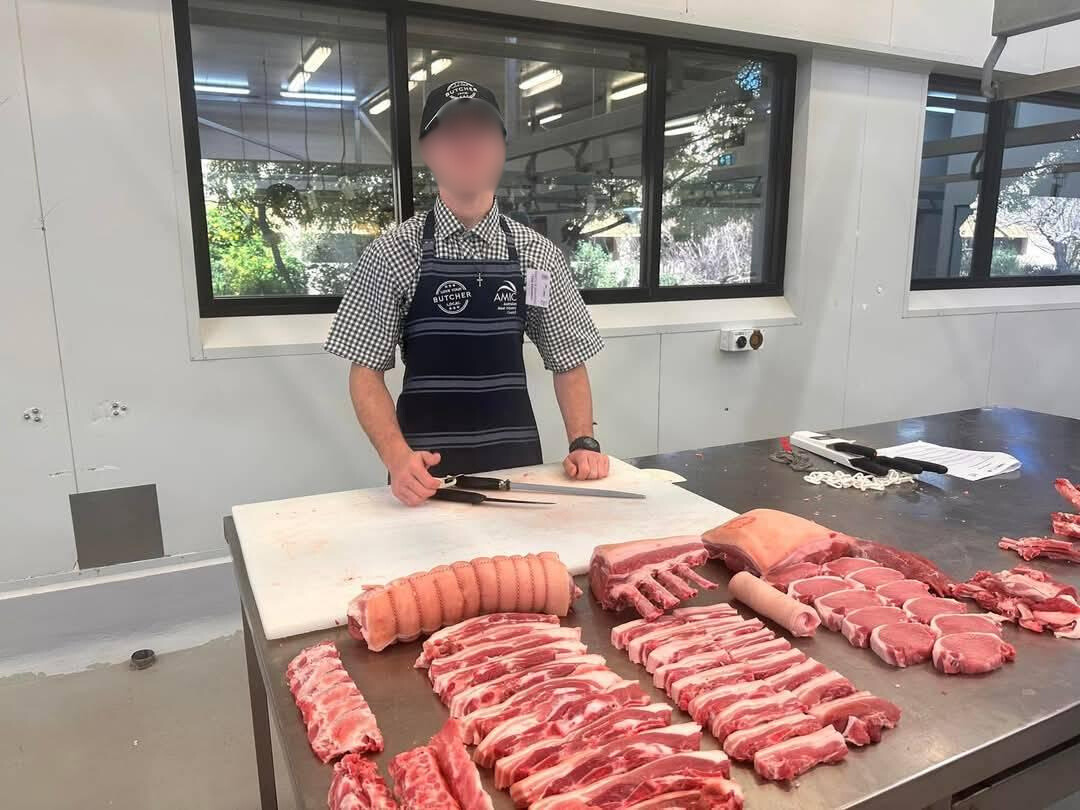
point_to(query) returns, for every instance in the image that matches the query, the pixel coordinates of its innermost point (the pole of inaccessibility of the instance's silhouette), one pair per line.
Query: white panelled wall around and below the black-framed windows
(105, 157)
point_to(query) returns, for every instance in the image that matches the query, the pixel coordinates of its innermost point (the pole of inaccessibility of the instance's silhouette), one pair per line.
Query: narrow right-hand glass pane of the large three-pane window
(717, 165)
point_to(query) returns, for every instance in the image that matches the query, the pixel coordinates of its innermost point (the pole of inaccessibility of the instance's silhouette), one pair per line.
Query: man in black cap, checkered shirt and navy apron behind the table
(460, 288)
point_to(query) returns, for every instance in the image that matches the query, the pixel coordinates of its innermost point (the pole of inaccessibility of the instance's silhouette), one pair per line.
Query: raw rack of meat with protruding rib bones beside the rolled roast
(651, 576)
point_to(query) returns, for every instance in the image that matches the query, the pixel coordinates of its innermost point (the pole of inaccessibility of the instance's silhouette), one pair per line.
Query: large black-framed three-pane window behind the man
(659, 167)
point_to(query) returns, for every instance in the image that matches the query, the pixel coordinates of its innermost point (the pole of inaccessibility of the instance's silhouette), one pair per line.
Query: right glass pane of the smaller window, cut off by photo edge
(1038, 224)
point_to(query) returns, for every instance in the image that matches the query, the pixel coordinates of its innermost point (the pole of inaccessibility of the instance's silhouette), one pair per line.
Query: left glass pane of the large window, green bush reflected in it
(296, 175)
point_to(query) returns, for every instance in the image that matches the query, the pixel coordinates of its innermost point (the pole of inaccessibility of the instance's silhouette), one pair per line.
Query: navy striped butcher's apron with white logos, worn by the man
(465, 394)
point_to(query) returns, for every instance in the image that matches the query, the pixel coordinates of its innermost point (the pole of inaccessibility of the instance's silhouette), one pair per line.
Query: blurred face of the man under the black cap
(466, 151)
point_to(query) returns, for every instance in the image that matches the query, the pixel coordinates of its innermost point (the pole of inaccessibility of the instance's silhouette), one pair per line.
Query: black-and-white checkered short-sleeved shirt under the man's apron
(369, 323)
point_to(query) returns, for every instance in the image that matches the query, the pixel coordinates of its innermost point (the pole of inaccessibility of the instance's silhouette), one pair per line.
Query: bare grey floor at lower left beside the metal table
(177, 736)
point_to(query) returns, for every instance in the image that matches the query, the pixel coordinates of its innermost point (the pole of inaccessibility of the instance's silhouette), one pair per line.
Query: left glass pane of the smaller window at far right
(949, 185)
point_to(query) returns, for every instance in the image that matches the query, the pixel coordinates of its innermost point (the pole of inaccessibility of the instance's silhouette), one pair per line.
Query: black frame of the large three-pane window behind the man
(775, 206)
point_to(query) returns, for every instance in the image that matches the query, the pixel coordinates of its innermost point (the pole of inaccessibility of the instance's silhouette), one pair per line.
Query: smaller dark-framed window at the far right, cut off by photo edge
(1022, 157)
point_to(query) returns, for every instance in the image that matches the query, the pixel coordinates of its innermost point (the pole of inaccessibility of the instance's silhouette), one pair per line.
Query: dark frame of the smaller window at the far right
(1000, 117)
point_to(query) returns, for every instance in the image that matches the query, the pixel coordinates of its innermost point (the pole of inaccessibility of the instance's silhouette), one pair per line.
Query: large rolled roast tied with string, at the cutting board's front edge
(425, 602)
